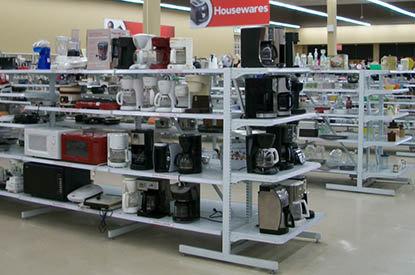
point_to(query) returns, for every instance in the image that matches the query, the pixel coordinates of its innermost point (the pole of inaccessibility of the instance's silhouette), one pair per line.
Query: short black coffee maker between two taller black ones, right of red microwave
(164, 156)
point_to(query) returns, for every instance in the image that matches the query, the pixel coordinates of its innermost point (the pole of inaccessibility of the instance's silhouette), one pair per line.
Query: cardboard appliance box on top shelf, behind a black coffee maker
(99, 50)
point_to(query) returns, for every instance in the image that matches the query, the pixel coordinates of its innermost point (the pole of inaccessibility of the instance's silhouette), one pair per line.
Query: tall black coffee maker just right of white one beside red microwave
(142, 142)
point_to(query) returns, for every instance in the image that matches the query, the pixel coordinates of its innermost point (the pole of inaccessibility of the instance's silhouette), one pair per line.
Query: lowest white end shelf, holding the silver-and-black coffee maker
(251, 232)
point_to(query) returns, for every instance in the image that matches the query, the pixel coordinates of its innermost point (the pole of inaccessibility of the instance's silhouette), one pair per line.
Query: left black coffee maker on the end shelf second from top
(259, 98)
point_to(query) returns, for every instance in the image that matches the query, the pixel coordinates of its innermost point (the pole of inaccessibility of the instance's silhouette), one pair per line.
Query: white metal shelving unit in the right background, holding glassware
(366, 173)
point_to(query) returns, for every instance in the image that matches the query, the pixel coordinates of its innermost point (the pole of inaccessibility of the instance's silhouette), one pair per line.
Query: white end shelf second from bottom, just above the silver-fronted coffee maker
(243, 176)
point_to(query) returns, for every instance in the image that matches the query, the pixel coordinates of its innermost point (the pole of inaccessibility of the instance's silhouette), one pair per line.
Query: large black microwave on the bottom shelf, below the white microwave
(53, 182)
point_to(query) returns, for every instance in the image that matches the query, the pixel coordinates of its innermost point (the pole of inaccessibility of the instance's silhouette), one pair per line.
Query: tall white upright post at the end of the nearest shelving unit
(227, 143)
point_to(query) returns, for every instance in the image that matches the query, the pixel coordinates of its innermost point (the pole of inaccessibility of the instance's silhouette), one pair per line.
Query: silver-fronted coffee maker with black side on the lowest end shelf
(274, 214)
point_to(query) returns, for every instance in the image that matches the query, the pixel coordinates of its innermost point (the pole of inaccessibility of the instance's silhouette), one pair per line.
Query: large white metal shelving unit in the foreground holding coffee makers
(238, 227)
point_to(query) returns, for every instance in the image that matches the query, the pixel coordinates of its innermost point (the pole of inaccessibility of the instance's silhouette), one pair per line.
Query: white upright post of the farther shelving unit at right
(360, 136)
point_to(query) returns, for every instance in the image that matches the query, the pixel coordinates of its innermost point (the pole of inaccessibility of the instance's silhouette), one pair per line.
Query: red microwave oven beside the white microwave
(86, 146)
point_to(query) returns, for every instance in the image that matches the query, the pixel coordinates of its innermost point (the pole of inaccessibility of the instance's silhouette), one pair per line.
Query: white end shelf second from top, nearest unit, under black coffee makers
(239, 123)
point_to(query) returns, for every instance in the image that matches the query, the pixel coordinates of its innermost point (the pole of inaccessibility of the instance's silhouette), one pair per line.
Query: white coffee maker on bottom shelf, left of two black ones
(130, 197)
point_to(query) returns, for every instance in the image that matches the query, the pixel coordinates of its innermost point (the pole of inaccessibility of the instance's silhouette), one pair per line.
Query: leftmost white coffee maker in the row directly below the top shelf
(130, 97)
